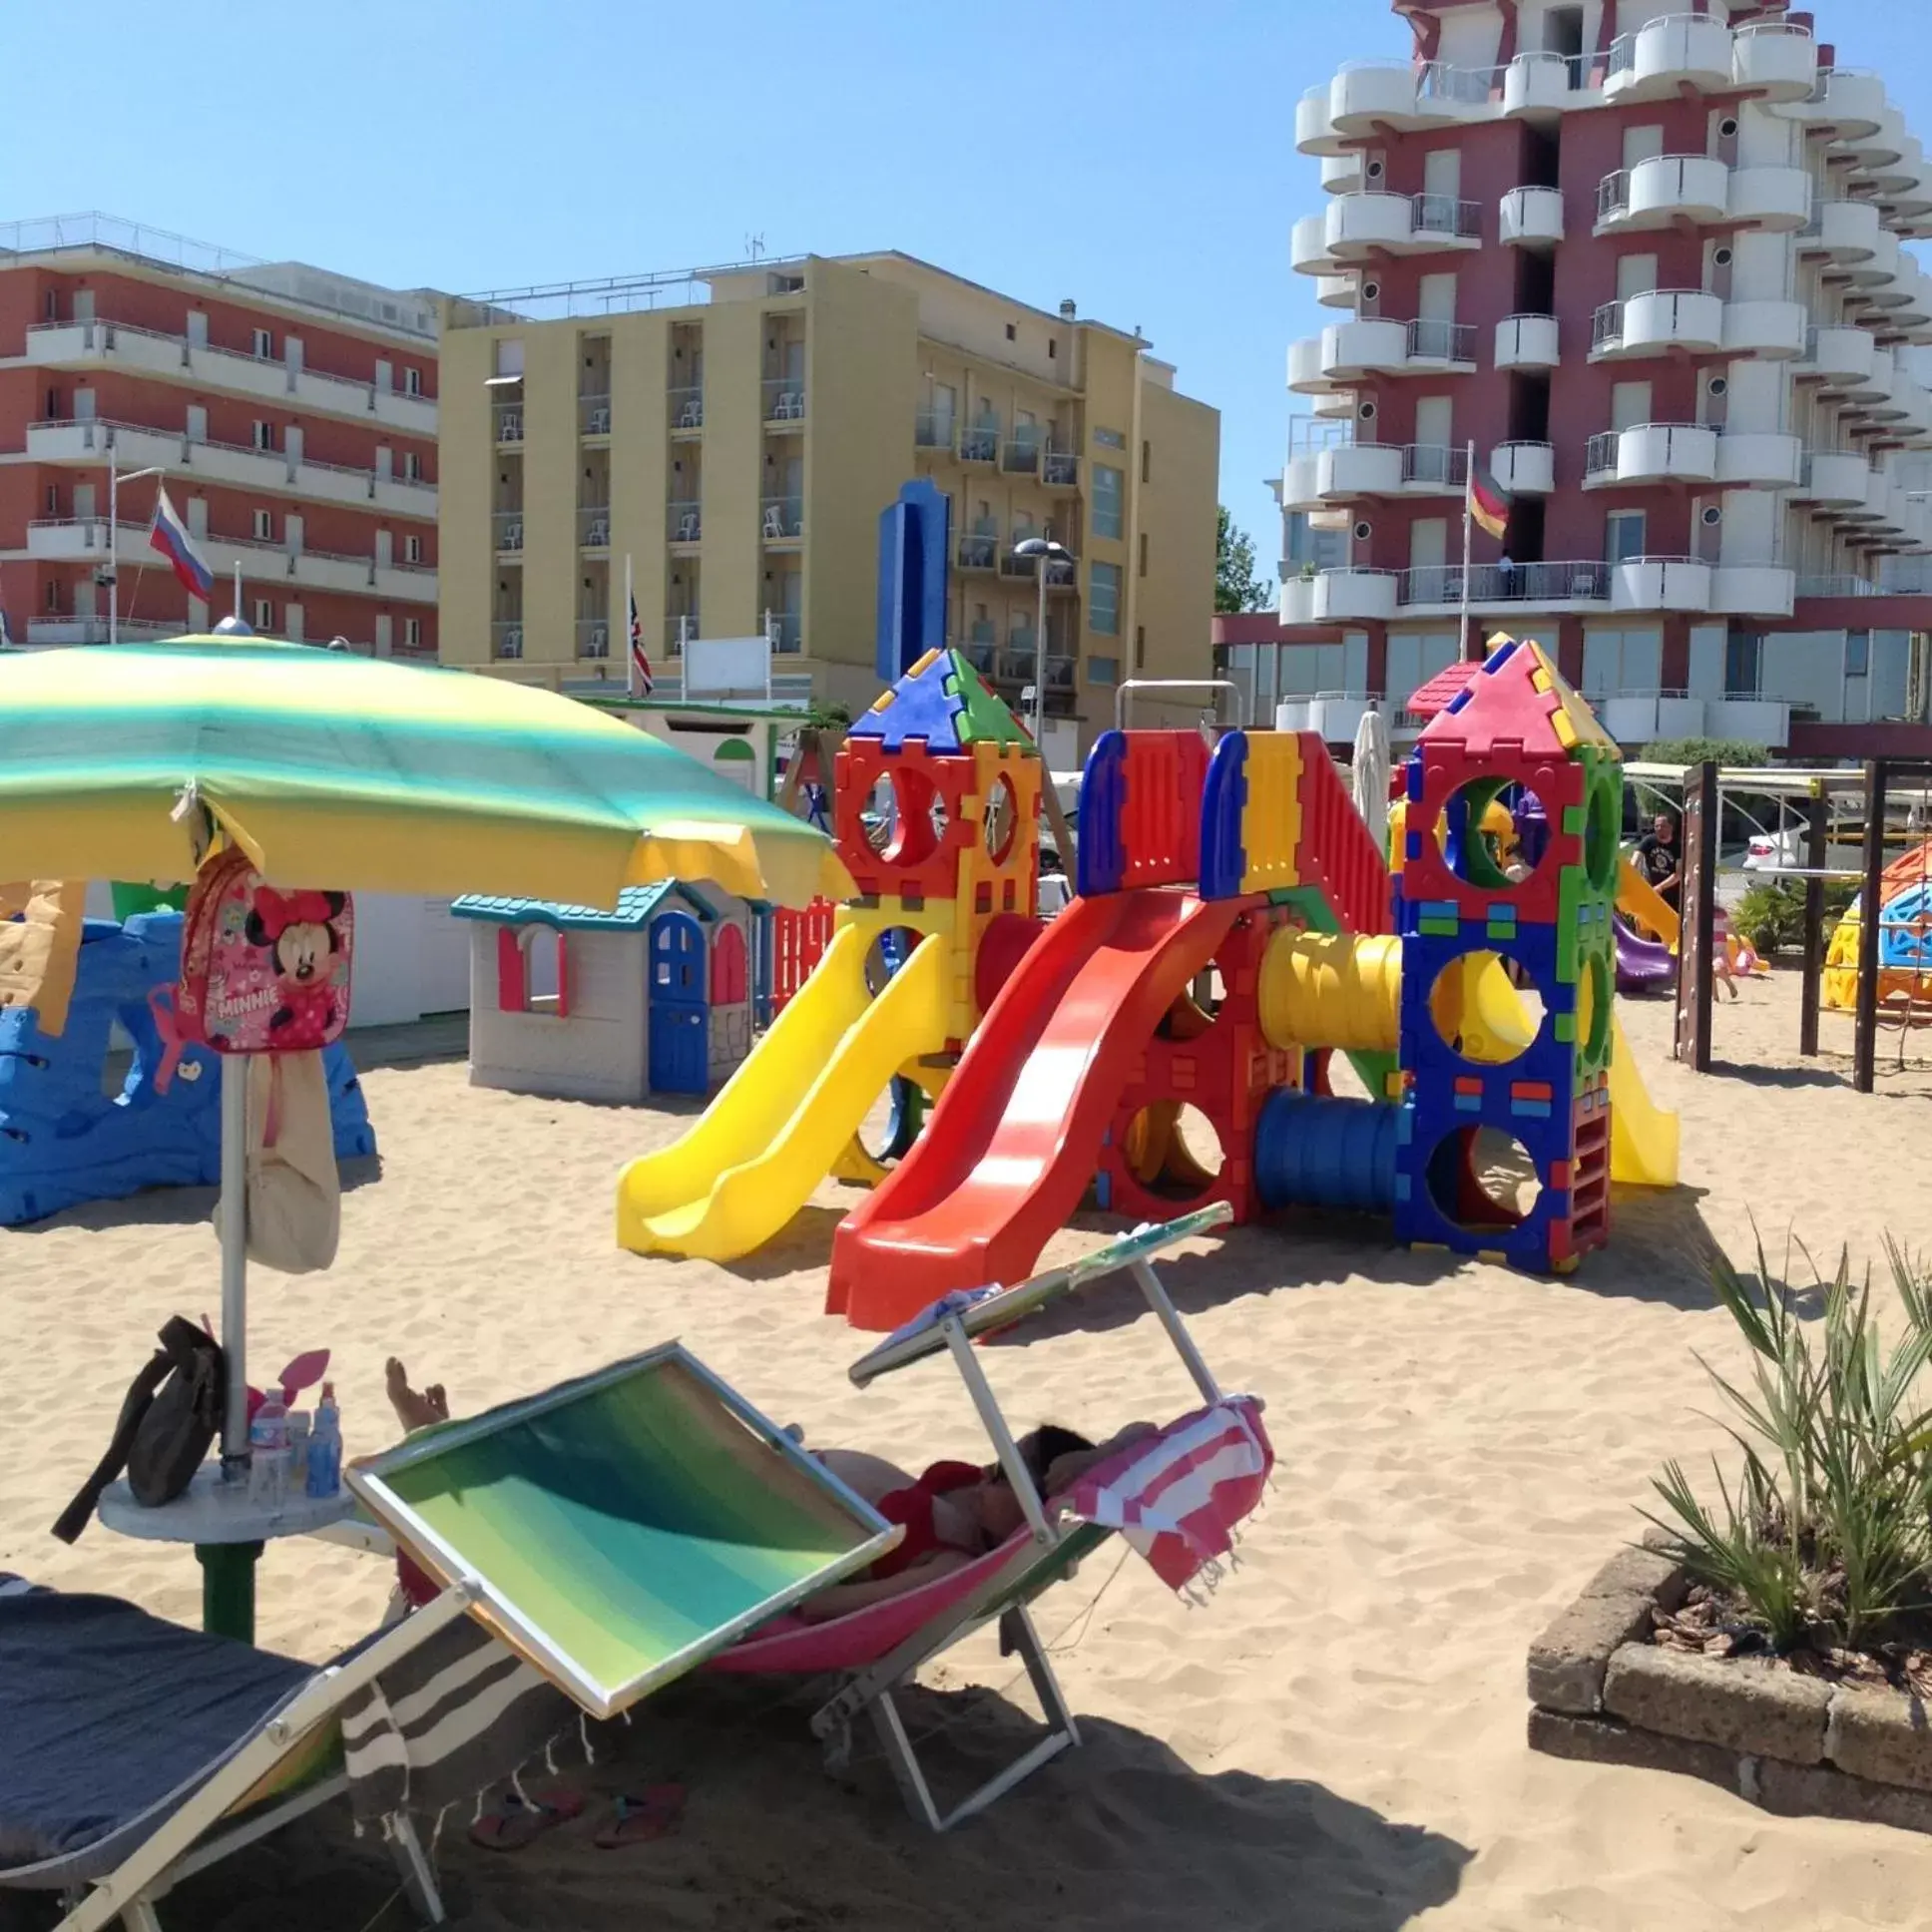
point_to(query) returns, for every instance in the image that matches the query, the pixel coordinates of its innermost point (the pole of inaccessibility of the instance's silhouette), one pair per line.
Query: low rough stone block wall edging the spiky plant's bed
(1603, 1691)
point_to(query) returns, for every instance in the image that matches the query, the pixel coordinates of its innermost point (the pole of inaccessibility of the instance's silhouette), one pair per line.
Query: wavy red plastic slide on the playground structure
(1017, 1135)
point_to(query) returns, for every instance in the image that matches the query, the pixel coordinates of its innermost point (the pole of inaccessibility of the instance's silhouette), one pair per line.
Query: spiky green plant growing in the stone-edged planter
(1827, 1535)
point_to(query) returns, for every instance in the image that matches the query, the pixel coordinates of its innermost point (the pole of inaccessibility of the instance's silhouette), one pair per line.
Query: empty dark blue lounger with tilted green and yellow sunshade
(594, 1543)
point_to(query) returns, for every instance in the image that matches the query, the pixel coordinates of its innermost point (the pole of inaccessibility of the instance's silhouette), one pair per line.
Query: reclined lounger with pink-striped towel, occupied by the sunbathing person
(1178, 1496)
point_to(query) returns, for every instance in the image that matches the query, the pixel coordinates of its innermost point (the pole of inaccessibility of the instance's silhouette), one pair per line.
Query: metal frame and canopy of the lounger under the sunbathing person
(1056, 1547)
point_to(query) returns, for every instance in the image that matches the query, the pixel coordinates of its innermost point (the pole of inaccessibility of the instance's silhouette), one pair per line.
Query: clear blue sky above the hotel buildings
(482, 144)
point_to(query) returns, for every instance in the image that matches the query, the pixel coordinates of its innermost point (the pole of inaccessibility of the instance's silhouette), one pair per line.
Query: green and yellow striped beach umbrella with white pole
(364, 776)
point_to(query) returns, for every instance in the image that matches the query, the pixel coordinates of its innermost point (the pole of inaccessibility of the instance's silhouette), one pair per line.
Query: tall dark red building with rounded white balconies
(1649, 262)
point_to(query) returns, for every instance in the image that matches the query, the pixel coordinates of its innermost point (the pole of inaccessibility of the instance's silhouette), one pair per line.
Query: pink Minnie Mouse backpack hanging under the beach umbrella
(264, 971)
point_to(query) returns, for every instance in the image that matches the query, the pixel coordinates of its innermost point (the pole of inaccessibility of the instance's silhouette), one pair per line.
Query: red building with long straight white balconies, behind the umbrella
(291, 412)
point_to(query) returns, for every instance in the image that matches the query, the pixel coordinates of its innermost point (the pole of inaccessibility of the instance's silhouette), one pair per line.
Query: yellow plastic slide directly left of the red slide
(781, 1122)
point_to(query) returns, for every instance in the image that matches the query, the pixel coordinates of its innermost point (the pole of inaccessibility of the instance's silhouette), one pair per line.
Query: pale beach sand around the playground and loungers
(1336, 1742)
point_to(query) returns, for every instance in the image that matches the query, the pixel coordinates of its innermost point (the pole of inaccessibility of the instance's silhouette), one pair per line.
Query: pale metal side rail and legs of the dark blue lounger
(190, 1838)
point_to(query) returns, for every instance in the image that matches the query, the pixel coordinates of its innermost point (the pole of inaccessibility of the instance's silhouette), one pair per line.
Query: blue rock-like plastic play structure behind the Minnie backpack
(76, 1131)
